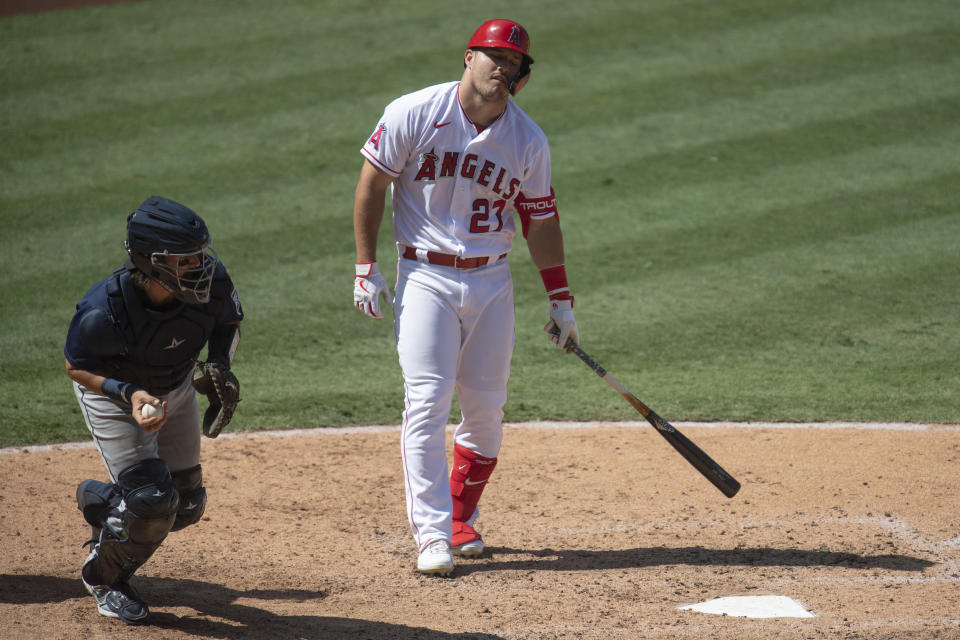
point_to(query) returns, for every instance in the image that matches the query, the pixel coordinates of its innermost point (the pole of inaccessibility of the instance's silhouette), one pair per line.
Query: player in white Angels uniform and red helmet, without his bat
(459, 159)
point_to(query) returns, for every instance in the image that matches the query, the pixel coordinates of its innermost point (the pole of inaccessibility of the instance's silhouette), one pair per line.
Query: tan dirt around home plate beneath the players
(593, 532)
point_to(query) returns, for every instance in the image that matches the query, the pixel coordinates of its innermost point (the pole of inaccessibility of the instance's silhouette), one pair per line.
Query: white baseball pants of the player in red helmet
(455, 333)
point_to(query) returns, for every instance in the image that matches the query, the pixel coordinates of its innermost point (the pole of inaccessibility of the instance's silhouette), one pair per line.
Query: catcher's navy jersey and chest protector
(114, 334)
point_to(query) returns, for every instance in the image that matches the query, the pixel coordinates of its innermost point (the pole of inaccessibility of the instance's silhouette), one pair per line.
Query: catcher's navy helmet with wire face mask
(161, 229)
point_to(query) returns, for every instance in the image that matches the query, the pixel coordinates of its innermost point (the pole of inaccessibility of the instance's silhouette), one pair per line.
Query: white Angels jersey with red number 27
(457, 184)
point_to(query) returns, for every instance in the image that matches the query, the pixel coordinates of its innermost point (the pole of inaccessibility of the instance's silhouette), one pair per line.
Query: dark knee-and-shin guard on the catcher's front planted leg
(136, 527)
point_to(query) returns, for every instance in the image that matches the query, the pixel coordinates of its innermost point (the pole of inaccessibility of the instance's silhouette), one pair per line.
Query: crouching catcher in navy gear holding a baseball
(130, 351)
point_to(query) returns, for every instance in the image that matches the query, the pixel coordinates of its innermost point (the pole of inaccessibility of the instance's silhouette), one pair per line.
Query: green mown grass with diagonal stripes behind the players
(759, 197)
